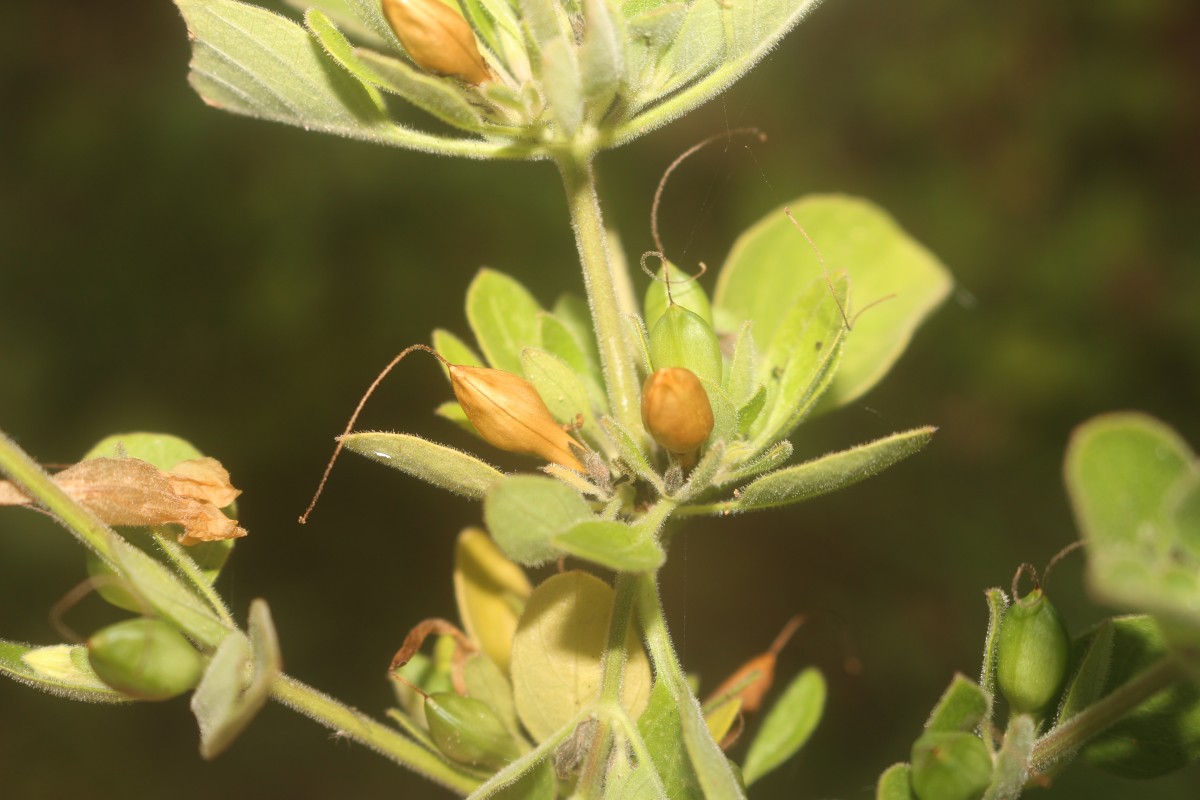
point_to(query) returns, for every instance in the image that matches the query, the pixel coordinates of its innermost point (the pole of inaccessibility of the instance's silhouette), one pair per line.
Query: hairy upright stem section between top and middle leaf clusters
(611, 328)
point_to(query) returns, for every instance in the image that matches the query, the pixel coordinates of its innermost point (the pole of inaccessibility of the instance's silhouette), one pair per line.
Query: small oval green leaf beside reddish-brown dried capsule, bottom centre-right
(788, 726)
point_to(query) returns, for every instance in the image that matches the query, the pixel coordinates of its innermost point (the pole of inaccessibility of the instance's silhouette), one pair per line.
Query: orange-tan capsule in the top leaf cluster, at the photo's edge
(437, 39)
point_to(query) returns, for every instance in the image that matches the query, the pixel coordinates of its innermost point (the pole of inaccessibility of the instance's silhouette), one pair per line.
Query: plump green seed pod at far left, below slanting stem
(146, 659)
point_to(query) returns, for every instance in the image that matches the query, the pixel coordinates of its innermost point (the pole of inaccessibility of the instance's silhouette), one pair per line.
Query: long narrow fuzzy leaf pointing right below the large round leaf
(831, 473)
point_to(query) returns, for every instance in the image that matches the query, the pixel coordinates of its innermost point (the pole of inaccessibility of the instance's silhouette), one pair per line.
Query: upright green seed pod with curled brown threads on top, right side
(1033, 652)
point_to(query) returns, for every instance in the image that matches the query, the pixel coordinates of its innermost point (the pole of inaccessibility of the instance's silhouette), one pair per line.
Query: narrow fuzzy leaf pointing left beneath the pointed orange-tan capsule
(443, 467)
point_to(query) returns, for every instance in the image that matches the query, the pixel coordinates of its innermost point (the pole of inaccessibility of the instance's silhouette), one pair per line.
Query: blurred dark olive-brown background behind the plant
(171, 268)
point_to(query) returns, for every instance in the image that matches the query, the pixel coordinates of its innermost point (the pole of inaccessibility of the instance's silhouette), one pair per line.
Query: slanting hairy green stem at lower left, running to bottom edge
(381, 738)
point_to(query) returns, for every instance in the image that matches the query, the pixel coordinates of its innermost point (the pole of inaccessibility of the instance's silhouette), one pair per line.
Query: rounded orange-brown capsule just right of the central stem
(676, 410)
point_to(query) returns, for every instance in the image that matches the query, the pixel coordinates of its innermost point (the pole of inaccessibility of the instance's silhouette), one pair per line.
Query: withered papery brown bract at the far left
(134, 492)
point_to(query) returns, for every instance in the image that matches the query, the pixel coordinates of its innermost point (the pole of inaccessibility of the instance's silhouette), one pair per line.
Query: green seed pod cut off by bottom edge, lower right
(950, 766)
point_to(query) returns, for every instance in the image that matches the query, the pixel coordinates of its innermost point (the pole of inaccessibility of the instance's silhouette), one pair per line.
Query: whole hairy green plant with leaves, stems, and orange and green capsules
(640, 404)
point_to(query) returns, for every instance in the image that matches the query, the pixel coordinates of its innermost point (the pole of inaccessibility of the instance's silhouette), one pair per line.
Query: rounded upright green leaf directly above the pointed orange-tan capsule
(505, 318)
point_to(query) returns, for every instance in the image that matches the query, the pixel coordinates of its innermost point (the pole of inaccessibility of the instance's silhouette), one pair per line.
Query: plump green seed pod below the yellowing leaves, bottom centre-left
(469, 731)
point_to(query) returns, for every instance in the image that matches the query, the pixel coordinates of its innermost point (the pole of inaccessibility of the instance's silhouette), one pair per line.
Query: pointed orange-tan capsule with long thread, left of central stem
(509, 413)
